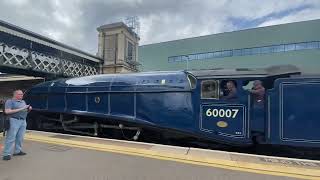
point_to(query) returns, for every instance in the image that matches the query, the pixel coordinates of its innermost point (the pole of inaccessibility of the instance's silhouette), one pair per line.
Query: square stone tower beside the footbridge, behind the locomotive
(118, 47)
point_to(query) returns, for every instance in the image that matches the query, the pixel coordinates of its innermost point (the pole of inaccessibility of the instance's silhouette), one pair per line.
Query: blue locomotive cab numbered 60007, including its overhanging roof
(228, 111)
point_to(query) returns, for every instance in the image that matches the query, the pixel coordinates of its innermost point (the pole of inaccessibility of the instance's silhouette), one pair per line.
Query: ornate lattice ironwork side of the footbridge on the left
(12, 56)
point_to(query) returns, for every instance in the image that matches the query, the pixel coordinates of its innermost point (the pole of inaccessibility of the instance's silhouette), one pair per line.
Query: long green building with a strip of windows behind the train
(294, 43)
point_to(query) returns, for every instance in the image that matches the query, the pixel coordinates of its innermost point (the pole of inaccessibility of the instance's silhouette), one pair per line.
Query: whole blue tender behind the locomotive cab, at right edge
(293, 112)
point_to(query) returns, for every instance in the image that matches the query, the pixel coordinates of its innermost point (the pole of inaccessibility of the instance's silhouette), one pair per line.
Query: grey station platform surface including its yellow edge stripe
(57, 156)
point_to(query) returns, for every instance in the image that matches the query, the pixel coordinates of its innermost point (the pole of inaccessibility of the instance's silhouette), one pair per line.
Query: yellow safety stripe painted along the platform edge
(268, 169)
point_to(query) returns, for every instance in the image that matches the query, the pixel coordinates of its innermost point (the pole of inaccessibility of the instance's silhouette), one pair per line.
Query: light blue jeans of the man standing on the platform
(15, 136)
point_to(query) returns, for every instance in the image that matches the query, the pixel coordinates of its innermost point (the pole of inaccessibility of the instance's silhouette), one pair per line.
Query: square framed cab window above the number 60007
(209, 89)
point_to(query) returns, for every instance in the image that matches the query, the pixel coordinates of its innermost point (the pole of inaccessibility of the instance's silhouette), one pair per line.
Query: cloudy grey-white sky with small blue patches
(74, 22)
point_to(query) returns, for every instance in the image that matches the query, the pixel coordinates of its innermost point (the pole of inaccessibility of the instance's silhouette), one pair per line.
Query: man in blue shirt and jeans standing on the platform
(17, 111)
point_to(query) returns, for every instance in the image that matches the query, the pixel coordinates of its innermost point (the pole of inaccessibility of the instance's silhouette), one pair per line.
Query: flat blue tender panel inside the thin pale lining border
(300, 105)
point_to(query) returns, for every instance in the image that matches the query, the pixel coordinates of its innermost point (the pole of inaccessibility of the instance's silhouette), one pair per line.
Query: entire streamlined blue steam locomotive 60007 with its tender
(188, 104)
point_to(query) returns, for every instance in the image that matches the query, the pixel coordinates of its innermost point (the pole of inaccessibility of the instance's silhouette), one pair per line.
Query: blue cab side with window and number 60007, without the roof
(225, 109)
